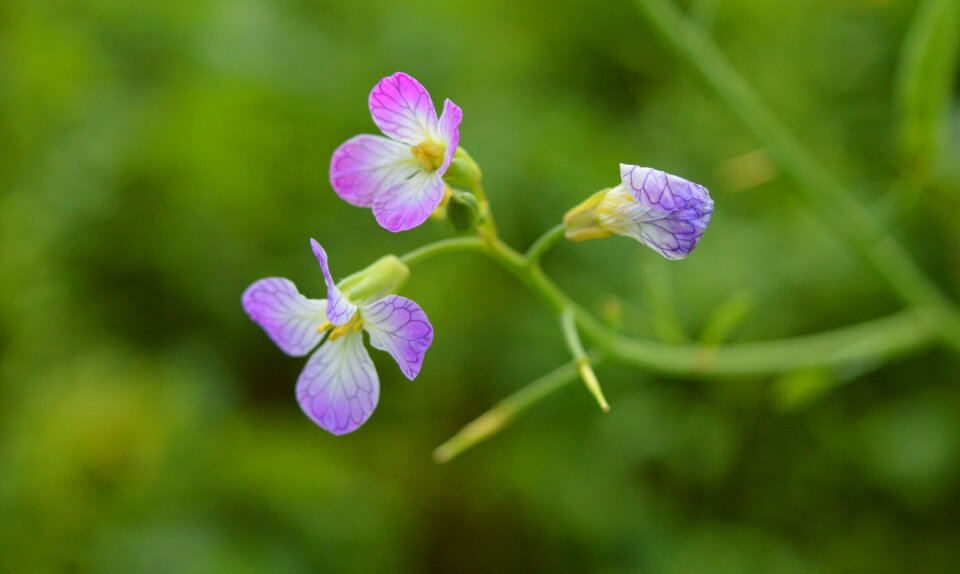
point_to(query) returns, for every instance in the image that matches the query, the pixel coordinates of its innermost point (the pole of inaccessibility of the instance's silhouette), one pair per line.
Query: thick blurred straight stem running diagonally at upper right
(837, 206)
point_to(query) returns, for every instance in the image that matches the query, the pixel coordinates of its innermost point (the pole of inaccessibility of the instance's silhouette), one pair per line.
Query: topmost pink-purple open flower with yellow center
(401, 175)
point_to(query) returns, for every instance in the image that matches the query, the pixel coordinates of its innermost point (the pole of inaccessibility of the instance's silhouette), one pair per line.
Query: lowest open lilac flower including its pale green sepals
(339, 388)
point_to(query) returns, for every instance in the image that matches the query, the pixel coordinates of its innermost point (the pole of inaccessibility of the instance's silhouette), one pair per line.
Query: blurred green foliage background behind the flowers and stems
(157, 157)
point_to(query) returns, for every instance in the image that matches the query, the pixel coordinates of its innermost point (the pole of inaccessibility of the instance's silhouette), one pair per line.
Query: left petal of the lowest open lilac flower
(289, 319)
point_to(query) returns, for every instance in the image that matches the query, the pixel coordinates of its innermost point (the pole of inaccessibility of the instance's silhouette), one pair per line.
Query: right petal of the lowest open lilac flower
(399, 326)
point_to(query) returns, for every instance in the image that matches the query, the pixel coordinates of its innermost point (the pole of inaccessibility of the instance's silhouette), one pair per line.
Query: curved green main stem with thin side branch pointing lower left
(872, 341)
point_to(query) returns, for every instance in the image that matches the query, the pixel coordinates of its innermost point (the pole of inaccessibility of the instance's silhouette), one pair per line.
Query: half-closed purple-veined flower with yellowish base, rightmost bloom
(667, 213)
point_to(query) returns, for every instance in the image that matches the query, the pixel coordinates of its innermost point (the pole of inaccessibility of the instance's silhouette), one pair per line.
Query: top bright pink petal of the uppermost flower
(402, 109)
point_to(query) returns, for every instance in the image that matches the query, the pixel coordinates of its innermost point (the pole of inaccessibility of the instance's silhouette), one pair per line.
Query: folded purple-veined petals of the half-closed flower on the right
(671, 213)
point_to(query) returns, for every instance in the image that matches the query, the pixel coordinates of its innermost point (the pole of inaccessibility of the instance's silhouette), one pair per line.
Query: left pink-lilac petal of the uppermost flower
(364, 165)
